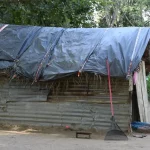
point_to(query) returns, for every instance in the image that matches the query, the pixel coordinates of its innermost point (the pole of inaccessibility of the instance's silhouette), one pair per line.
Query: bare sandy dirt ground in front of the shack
(30, 139)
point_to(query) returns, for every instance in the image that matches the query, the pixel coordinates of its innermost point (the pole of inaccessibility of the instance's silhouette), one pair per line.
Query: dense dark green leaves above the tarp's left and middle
(66, 13)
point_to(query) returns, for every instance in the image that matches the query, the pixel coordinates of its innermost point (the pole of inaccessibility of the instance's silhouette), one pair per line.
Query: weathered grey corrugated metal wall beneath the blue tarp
(79, 102)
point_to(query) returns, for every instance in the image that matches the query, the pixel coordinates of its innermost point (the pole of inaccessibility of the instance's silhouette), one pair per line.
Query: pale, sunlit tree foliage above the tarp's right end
(125, 13)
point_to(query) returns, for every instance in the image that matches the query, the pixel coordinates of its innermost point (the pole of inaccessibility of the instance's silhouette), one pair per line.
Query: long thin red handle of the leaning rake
(110, 92)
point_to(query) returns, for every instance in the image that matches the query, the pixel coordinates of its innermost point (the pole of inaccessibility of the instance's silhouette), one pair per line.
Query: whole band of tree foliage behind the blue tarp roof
(76, 13)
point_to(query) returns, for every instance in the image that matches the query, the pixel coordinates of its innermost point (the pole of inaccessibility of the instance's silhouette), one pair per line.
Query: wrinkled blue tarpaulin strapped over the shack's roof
(49, 52)
